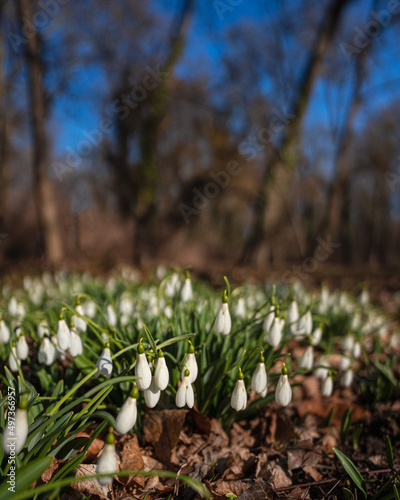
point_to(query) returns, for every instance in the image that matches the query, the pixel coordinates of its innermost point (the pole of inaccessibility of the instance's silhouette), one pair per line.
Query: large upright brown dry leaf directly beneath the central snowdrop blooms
(162, 429)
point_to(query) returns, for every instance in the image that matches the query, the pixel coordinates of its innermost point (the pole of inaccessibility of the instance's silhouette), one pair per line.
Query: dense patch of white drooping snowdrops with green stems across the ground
(233, 340)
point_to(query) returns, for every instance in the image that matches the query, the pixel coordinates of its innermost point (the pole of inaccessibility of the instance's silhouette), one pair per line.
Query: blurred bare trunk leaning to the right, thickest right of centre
(272, 194)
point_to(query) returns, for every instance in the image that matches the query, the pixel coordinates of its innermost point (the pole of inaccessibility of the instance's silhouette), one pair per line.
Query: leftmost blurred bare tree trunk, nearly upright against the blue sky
(43, 189)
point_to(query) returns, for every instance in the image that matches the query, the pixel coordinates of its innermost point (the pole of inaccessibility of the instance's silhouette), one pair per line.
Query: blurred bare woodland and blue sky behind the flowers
(217, 132)
